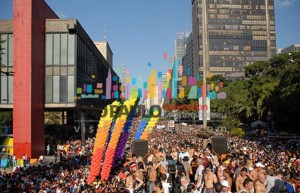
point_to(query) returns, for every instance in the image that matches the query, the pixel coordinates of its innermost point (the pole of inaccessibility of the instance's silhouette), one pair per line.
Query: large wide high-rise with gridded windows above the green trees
(231, 34)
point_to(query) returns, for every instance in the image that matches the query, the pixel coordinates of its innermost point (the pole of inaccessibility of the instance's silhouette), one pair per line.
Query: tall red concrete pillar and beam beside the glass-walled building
(29, 78)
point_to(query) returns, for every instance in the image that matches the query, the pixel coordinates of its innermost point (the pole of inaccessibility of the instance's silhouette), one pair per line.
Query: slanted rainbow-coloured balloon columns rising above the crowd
(112, 135)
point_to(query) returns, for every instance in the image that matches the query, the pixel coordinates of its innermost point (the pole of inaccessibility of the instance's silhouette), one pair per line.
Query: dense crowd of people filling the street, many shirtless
(178, 160)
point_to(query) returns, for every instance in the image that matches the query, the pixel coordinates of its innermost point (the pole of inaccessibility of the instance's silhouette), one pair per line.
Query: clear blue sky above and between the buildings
(140, 32)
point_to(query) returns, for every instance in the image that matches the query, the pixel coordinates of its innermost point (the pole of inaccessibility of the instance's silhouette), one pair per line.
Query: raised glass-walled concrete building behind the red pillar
(74, 67)
